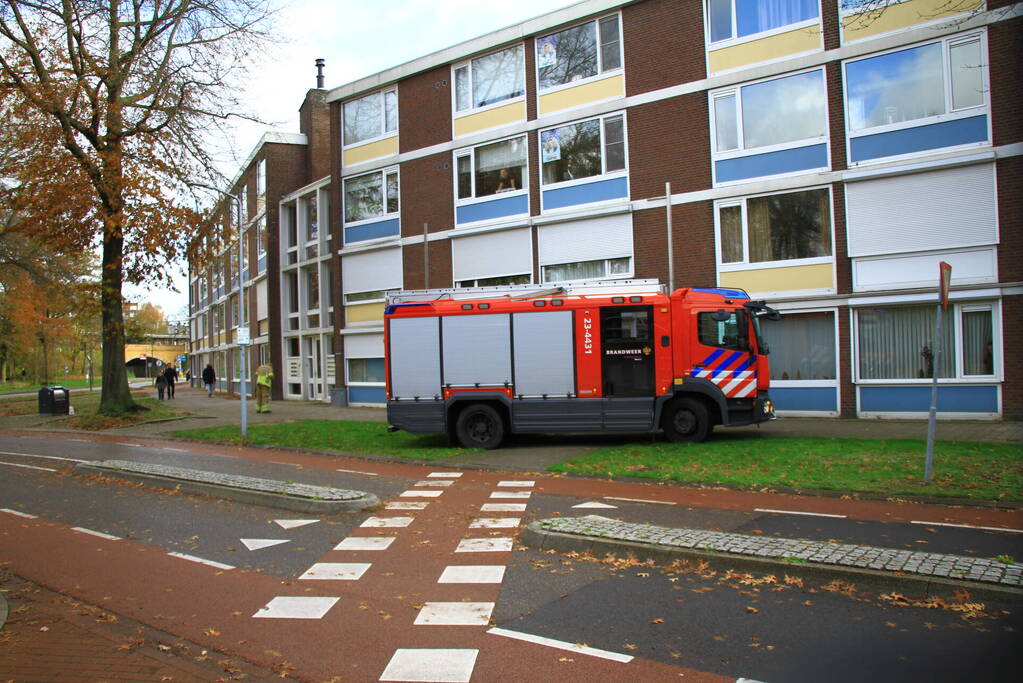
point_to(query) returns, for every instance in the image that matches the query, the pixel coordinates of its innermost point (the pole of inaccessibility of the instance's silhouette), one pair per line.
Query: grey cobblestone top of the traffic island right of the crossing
(842, 555)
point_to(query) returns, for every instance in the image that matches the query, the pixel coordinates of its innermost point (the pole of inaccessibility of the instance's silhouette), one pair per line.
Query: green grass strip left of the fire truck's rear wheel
(369, 438)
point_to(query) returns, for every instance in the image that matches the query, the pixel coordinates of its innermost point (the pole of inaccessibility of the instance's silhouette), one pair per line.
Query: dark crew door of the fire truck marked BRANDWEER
(628, 363)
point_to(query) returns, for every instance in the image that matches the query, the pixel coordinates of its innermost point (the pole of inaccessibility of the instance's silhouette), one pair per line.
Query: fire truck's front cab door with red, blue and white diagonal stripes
(723, 352)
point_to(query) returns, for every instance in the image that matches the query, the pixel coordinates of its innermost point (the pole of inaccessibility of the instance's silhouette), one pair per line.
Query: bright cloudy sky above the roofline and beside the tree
(357, 38)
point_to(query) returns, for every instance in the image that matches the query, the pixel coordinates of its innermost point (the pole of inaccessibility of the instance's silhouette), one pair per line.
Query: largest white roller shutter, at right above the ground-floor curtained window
(937, 210)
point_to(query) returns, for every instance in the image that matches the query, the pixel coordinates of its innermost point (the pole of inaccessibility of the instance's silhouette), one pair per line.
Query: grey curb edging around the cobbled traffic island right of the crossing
(912, 585)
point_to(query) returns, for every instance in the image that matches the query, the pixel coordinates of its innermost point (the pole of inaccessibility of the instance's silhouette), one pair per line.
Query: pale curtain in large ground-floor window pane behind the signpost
(899, 344)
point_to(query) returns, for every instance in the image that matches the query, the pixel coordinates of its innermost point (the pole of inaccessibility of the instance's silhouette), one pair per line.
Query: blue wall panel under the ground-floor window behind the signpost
(952, 399)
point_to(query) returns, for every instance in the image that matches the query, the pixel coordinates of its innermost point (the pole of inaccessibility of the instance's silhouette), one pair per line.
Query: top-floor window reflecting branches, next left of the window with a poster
(493, 78)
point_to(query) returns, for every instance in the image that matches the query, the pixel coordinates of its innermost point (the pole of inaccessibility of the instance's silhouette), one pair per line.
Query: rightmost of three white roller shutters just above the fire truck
(605, 238)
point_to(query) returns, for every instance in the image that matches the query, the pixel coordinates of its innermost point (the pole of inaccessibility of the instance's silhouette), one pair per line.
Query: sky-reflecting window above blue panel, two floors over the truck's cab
(771, 113)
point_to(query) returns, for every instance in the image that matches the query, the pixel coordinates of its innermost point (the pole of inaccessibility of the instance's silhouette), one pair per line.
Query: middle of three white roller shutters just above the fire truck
(493, 255)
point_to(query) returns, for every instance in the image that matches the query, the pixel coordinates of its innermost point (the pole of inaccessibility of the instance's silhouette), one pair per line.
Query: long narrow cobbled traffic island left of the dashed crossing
(271, 493)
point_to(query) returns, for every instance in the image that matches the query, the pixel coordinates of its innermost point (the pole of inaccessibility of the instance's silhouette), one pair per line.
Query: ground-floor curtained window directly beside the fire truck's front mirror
(803, 346)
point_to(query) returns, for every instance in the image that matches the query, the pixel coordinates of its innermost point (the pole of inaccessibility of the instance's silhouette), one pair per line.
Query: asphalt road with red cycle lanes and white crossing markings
(689, 625)
